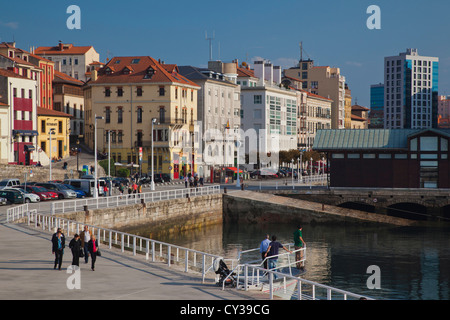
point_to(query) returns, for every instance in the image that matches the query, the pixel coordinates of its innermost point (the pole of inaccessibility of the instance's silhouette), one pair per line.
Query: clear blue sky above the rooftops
(333, 32)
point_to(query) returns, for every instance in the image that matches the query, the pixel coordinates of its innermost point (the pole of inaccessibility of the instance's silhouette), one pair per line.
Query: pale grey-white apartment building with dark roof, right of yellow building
(219, 111)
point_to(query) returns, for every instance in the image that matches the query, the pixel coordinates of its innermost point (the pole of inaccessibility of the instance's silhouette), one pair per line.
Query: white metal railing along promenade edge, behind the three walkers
(153, 250)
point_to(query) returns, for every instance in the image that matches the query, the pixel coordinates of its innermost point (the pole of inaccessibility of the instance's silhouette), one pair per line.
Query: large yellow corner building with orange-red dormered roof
(128, 93)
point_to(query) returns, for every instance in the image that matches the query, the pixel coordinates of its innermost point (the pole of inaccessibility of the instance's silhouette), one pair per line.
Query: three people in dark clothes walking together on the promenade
(82, 245)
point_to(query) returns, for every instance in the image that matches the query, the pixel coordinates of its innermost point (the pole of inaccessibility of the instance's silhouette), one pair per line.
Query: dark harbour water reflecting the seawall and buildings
(414, 262)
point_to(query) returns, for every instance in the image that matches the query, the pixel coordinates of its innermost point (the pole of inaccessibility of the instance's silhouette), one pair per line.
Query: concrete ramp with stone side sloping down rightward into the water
(250, 206)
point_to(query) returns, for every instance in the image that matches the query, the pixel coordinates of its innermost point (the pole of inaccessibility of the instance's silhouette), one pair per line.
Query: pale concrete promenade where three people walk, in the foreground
(26, 273)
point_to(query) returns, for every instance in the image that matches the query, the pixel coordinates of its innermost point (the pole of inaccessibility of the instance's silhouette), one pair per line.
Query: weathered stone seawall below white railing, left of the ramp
(157, 218)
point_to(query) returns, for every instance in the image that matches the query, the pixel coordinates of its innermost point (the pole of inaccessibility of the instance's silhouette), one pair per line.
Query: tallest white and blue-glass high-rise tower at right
(411, 91)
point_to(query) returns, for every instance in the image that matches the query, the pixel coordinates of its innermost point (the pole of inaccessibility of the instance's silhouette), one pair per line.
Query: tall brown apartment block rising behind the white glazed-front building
(324, 81)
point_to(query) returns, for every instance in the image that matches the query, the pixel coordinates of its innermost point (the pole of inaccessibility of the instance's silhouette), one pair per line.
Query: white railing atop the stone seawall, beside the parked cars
(130, 199)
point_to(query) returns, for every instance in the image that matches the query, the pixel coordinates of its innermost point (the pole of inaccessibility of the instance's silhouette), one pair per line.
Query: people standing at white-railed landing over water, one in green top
(269, 250)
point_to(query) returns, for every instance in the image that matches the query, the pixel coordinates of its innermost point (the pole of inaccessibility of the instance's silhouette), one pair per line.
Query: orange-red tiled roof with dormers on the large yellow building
(140, 65)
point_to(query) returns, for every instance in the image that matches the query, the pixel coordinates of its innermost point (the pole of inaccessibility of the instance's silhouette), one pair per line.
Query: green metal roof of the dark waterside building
(358, 139)
